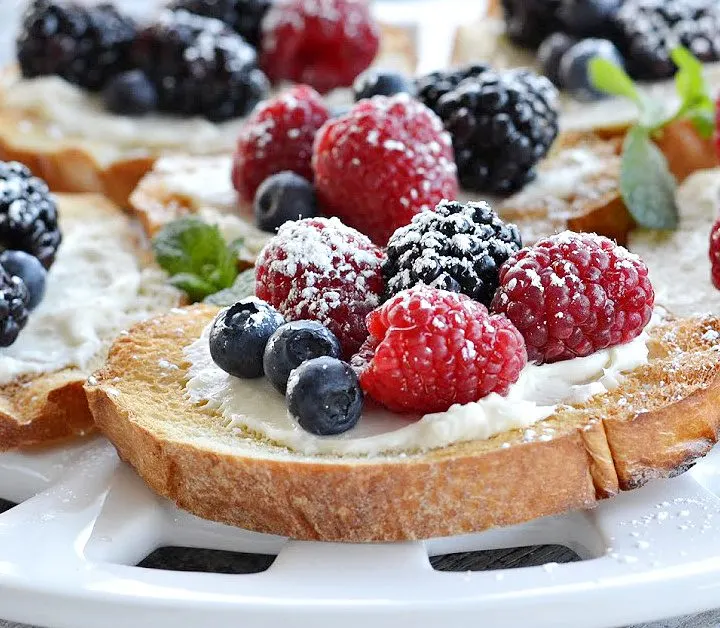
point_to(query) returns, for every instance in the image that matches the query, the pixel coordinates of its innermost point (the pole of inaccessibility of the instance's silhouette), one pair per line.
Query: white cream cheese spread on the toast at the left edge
(95, 289)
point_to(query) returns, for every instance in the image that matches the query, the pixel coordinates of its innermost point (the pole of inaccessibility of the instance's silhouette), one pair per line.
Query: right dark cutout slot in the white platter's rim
(510, 558)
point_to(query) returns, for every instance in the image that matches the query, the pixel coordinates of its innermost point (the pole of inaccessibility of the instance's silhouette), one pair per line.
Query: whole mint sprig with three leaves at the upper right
(646, 184)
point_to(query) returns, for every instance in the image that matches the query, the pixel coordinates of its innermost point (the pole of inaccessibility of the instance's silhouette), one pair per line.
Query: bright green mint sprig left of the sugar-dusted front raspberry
(196, 257)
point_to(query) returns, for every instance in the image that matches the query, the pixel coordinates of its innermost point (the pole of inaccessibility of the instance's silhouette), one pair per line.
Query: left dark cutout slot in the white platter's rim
(207, 561)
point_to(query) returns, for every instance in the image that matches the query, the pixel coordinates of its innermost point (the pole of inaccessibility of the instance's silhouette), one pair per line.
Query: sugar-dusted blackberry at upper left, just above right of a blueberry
(200, 66)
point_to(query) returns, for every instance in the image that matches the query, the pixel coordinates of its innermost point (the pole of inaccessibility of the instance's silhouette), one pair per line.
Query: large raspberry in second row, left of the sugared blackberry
(382, 163)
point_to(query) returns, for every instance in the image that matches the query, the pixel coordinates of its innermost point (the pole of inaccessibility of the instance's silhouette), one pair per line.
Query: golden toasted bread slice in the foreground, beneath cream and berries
(664, 416)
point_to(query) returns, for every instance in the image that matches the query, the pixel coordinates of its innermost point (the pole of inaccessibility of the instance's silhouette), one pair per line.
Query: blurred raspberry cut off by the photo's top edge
(324, 43)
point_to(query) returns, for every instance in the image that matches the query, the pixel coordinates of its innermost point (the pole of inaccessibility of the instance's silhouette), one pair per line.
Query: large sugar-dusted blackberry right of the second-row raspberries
(502, 124)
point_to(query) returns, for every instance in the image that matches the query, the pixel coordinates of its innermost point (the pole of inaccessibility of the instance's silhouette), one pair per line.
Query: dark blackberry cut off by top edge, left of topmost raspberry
(243, 16)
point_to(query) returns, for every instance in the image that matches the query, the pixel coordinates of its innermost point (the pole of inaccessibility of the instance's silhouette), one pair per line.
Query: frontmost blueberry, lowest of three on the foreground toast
(324, 396)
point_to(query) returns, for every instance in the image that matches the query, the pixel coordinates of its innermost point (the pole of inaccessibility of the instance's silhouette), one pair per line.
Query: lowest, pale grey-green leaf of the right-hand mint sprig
(646, 184)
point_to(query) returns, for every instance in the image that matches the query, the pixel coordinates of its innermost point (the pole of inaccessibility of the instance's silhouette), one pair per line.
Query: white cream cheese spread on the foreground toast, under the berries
(254, 407)
